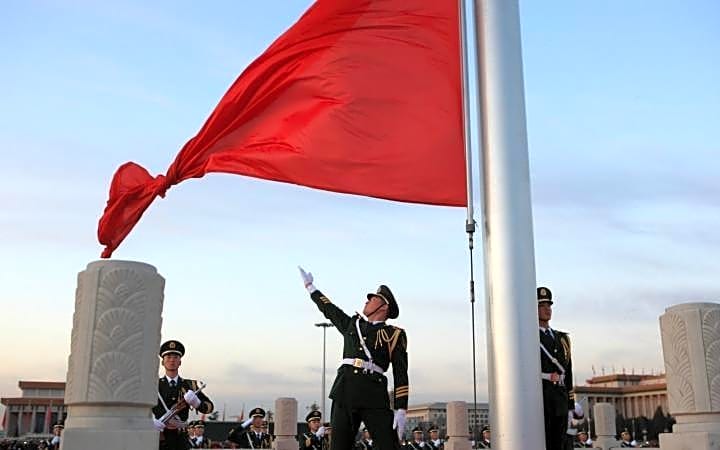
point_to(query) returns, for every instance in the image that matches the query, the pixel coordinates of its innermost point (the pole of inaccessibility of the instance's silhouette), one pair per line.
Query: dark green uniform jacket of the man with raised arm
(387, 344)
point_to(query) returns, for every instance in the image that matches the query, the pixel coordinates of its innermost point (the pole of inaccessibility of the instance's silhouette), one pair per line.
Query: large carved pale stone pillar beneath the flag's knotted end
(113, 363)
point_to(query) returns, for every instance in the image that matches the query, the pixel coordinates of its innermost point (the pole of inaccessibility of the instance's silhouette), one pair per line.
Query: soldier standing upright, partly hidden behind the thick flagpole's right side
(556, 368)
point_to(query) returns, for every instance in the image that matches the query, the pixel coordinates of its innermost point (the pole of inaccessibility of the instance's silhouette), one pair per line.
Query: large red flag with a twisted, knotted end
(359, 96)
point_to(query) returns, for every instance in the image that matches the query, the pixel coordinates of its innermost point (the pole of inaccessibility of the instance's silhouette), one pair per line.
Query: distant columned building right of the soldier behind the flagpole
(632, 395)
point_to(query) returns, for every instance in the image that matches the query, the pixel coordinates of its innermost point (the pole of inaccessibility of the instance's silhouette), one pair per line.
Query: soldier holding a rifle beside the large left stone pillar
(171, 389)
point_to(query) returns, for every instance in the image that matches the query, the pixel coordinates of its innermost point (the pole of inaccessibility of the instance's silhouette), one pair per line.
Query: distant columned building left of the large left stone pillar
(40, 405)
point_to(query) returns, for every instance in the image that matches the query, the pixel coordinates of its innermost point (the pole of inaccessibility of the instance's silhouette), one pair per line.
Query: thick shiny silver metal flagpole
(513, 356)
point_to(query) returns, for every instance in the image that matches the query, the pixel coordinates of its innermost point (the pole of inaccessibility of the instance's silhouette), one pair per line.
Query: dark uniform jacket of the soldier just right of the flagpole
(558, 398)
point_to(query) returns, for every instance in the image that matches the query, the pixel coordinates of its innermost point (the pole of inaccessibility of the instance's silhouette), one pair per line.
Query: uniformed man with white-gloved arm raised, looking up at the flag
(360, 392)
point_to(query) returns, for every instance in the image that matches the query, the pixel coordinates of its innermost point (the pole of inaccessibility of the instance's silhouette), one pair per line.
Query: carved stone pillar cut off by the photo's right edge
(691, 349)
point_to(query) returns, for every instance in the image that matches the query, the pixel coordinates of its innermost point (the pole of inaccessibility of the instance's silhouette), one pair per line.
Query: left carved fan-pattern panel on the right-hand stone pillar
(677, 364)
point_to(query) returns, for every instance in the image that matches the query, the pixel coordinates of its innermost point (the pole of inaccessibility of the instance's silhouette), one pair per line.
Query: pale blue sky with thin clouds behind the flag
(622, 102)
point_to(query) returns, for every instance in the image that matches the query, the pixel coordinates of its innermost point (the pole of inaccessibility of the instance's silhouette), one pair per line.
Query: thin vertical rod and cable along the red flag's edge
(470, 223)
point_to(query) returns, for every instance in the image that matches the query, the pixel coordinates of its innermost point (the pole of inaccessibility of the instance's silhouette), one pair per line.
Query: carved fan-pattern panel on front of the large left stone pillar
(118, 338)
